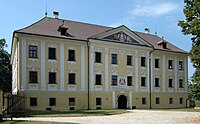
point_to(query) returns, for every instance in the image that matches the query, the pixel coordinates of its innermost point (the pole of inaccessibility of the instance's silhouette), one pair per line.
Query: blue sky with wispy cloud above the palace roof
(159, 16)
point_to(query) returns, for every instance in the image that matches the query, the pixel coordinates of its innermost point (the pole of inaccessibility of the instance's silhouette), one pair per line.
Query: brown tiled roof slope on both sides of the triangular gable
(49, 27)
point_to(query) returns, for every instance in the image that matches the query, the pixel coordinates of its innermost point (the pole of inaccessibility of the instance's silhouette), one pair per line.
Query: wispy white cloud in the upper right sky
(152, 9)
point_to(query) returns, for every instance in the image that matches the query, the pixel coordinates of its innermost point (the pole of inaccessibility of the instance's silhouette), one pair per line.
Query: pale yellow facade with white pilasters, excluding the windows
(85, 68)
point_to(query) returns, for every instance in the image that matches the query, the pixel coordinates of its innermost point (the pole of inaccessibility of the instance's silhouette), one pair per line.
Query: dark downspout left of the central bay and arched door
(88, 47)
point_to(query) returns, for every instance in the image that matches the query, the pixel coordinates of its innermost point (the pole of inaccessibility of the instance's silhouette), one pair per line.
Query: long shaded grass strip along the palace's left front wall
(73, 113)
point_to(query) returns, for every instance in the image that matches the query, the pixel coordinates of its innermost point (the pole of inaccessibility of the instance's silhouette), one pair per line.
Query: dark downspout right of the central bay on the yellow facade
(150, 77)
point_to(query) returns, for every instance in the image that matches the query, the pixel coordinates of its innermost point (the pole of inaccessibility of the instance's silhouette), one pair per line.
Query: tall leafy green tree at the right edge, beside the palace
(191, 25)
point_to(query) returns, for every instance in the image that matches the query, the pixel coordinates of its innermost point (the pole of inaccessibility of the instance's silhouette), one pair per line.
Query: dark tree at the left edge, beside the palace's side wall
(5, 68)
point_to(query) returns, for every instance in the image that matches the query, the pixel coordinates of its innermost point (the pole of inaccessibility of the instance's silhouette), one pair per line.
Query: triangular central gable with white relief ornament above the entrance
(122, 34)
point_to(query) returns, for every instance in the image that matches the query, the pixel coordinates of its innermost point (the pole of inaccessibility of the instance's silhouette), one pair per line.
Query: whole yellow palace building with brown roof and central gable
(65, 65)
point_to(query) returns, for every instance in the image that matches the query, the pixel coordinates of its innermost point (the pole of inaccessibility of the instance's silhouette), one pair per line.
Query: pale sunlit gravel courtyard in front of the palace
(133, 117)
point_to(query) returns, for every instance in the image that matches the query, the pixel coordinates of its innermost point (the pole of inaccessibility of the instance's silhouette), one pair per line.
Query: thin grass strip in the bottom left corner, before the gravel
(33, 122)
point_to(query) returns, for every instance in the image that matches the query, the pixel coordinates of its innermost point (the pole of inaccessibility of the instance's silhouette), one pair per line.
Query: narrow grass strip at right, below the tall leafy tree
(180, 109)
